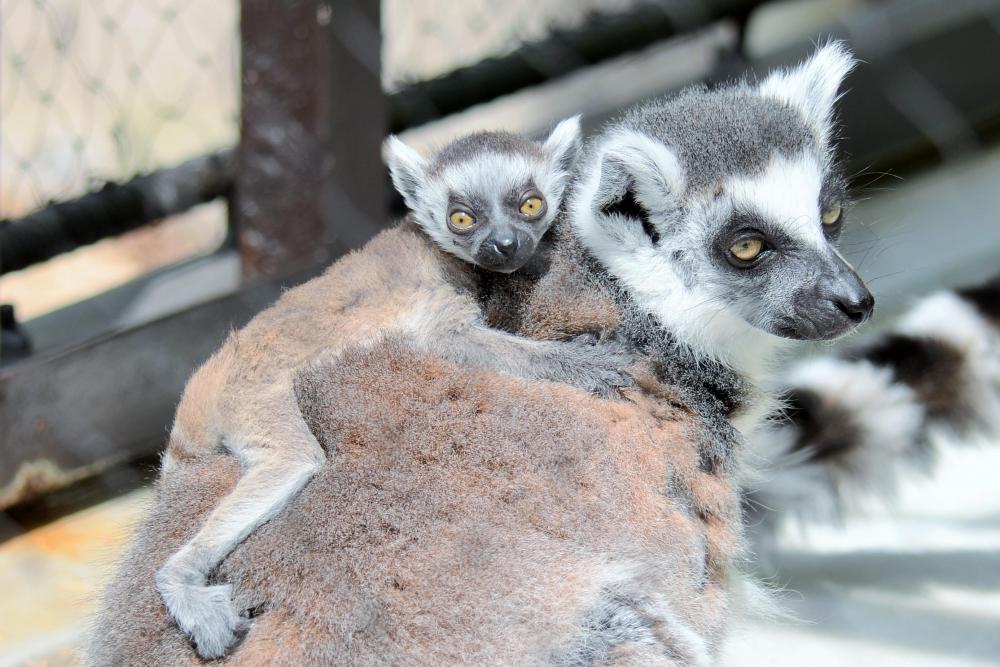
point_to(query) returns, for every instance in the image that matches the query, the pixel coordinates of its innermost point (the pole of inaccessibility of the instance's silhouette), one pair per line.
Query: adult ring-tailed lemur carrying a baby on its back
(466, 515)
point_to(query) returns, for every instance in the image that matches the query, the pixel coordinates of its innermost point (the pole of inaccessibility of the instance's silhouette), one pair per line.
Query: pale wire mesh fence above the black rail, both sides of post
(101, 90)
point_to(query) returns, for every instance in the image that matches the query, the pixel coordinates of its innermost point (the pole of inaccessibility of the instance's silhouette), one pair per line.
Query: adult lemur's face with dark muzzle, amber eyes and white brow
(766, 246)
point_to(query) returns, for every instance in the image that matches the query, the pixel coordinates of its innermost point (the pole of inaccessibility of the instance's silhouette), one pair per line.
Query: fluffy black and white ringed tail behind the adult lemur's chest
(855, 422)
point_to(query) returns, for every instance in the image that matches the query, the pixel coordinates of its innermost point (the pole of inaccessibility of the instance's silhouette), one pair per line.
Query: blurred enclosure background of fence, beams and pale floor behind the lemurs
(168, 166)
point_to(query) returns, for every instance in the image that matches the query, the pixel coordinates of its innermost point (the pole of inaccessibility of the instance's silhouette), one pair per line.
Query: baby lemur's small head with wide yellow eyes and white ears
(489, 197)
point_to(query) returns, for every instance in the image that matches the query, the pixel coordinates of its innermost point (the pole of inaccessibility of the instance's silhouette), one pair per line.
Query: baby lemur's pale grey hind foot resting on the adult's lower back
(205, 613)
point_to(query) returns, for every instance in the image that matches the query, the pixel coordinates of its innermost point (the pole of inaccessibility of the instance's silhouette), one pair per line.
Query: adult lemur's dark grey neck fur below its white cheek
(567, 290)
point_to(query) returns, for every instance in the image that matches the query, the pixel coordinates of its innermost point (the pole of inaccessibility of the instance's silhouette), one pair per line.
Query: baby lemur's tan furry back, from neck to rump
(397, 274)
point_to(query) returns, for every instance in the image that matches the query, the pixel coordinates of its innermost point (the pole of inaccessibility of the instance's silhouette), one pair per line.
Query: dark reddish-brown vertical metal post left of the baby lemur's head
(313, 120)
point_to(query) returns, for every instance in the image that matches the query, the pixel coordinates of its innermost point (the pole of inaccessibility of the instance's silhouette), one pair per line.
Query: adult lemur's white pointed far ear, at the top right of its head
(812, 86)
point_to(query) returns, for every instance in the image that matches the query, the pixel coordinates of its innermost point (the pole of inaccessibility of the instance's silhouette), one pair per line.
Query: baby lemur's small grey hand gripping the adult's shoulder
(598, 368)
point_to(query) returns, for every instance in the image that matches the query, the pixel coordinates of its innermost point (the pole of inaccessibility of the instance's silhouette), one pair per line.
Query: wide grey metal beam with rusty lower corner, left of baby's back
(69, 415)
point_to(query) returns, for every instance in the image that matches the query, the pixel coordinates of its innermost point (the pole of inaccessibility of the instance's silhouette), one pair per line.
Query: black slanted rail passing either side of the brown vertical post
(118, 207)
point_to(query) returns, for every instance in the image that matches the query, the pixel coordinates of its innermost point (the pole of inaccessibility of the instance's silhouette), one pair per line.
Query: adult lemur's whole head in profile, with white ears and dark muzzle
(720, 209)
